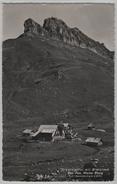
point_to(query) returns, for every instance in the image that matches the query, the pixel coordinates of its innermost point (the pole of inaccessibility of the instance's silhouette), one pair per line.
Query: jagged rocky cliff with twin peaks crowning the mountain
(57, 29)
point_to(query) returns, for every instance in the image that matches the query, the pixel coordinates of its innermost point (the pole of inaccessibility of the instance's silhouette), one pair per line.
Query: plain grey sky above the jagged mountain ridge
(95, 20)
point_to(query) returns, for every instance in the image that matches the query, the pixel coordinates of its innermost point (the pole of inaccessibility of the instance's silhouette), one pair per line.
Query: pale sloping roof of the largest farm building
(46, 129)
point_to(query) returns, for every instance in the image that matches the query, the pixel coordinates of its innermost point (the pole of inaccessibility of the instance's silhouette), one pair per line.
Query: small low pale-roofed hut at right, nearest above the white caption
(92, 141)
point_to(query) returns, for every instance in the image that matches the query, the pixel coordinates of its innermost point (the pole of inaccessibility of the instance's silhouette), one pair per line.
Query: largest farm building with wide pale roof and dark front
(47, 133)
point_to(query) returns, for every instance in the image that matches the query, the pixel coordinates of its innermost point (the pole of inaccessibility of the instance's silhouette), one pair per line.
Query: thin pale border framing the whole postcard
(57, 1)
